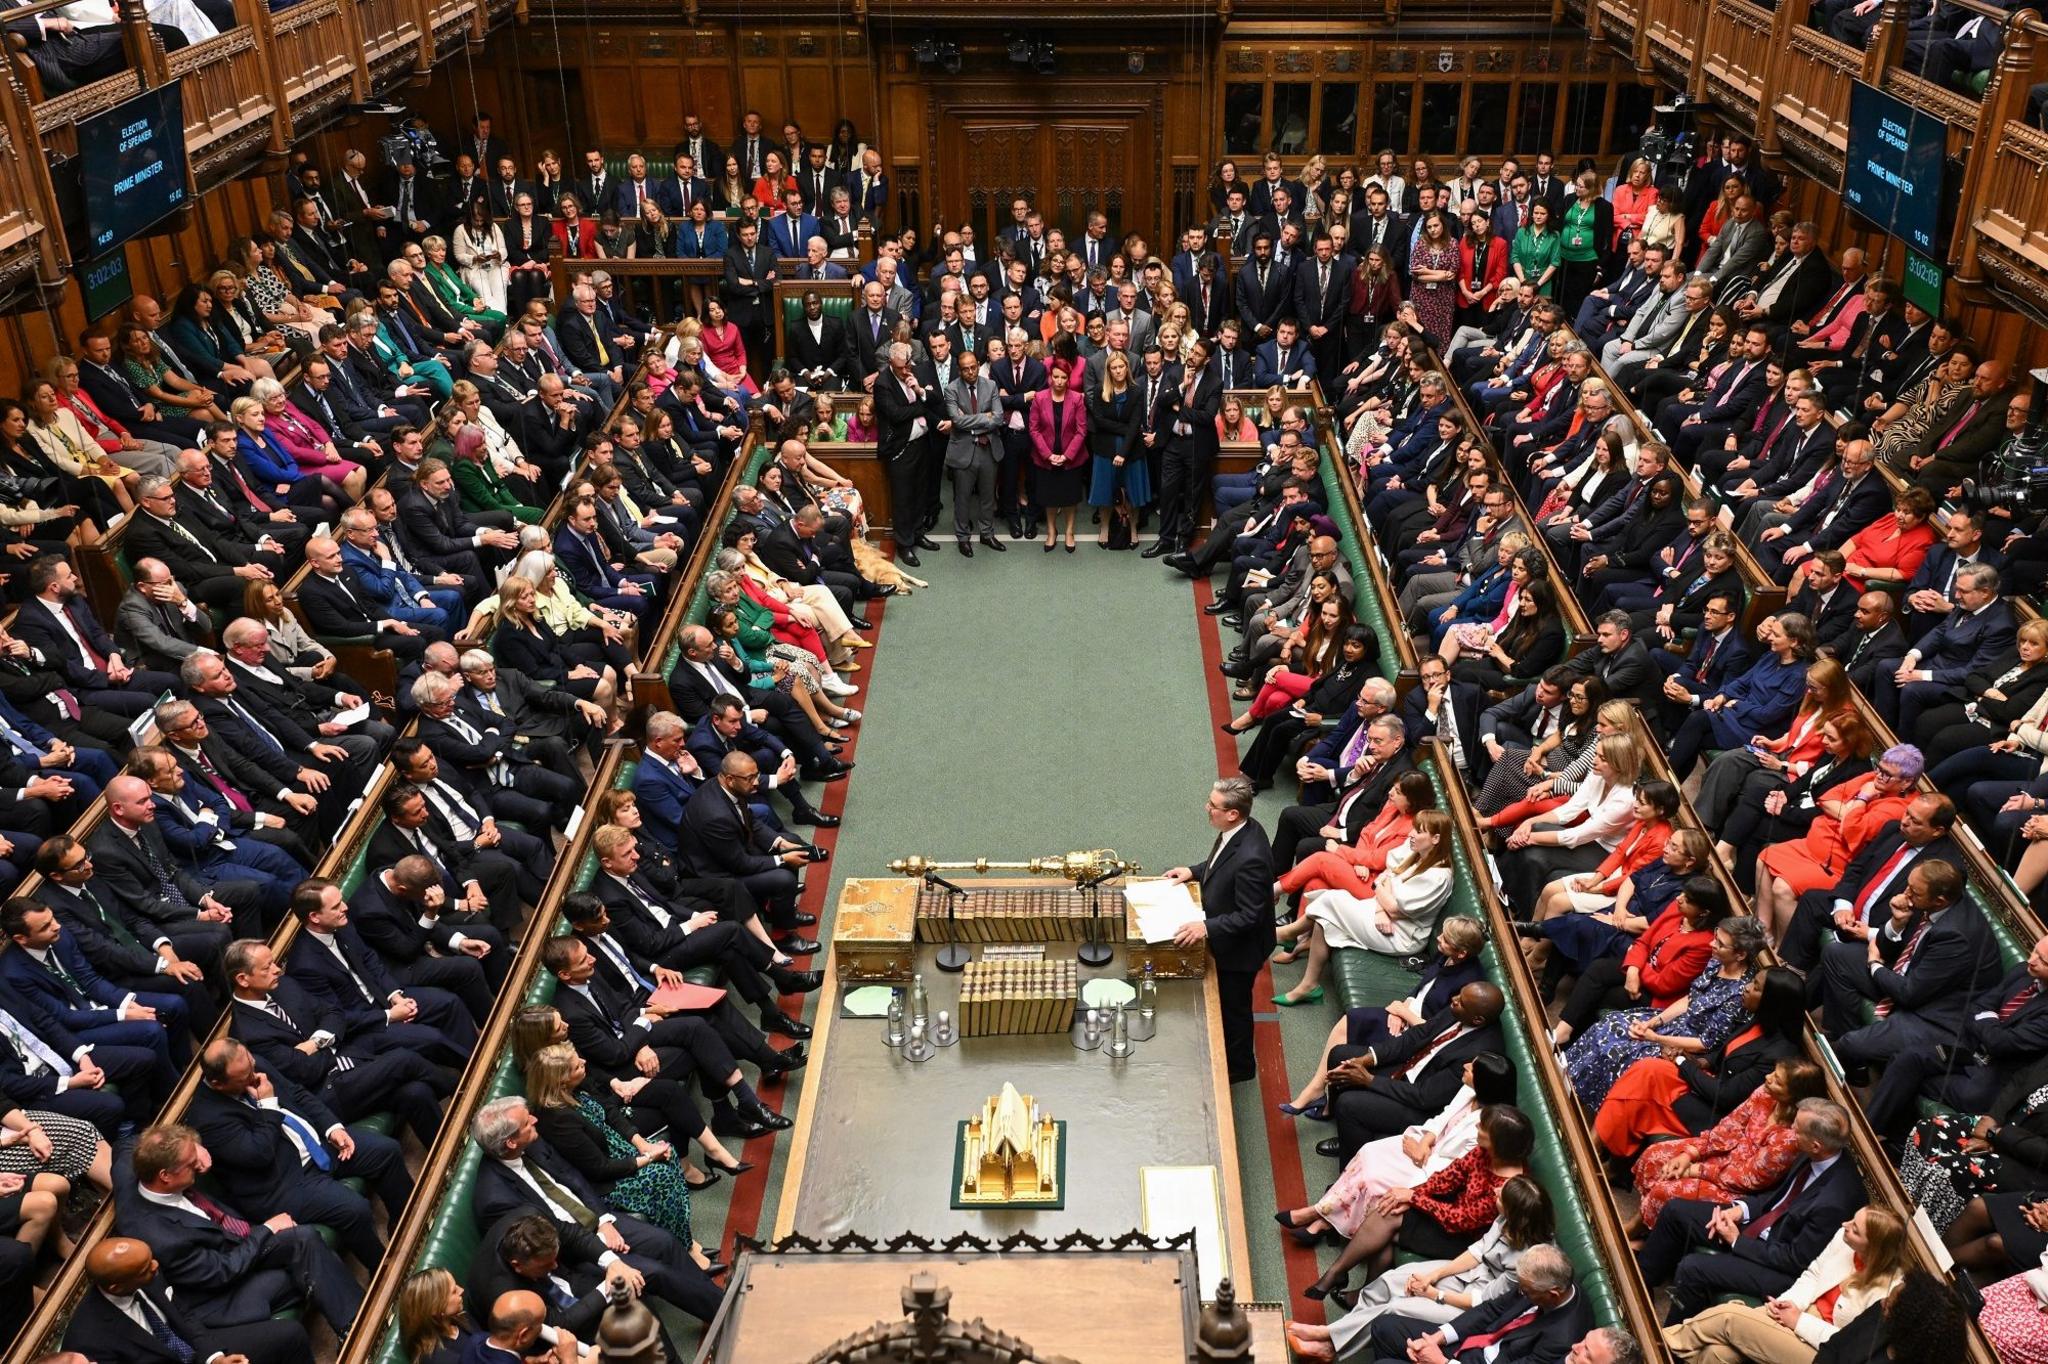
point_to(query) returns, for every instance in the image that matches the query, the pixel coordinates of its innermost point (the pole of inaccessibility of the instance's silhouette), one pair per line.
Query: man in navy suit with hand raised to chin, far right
(1918, 972)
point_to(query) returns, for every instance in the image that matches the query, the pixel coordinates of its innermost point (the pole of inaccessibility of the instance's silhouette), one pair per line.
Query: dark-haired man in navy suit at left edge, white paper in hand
(48, 968)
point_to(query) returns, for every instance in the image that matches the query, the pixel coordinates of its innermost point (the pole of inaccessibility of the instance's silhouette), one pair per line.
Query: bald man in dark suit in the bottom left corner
(130, 1318)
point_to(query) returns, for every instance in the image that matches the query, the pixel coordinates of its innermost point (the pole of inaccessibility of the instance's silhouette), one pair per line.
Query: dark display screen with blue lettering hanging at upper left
(134, 167)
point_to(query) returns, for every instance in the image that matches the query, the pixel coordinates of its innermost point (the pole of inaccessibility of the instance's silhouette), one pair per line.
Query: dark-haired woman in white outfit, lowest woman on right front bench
(1437, 1291)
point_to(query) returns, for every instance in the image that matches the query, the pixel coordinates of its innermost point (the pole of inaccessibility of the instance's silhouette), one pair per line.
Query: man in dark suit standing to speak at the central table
(1238, 912)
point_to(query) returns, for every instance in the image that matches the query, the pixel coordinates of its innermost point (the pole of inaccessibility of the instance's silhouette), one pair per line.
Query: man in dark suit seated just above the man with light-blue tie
(355, 1072)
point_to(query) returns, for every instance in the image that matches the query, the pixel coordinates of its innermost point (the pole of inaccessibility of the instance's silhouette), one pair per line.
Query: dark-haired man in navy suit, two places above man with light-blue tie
(335, 966)
